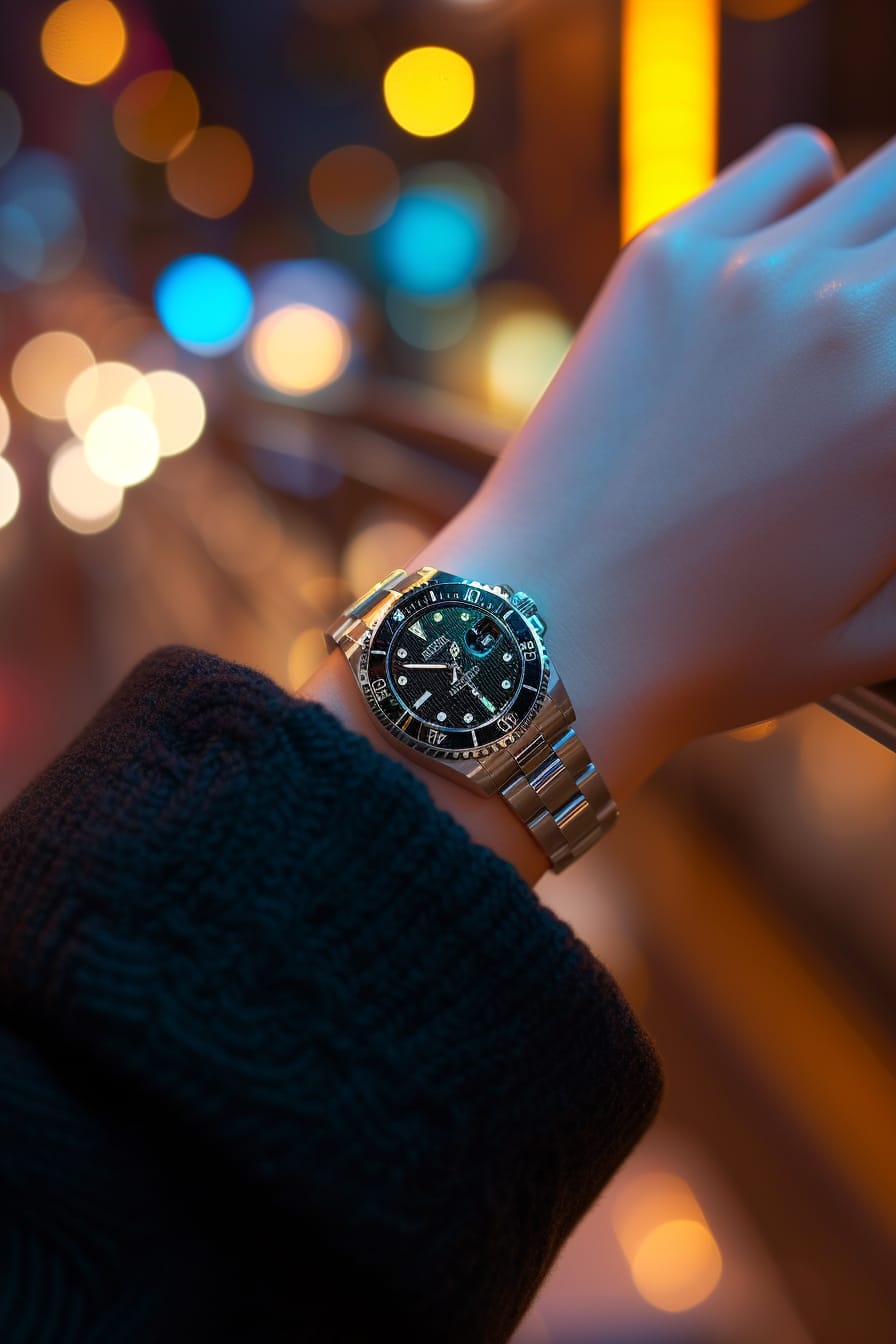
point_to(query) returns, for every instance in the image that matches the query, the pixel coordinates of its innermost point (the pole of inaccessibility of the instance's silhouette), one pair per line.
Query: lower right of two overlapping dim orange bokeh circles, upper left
(214, 174)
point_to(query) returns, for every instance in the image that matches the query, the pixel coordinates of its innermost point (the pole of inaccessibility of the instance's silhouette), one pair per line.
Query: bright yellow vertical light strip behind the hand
(670, 106)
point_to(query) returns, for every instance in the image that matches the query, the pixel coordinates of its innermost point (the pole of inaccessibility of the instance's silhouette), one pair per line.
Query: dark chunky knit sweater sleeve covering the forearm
(284, 1053)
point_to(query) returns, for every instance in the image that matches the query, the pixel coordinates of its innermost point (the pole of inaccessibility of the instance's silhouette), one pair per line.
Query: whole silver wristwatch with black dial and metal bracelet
(457, 674)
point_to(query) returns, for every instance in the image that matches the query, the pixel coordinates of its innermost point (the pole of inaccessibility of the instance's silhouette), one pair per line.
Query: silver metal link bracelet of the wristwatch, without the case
(547, 778)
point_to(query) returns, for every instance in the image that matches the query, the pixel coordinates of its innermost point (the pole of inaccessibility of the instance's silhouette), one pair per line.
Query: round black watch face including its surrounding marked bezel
(456, 670)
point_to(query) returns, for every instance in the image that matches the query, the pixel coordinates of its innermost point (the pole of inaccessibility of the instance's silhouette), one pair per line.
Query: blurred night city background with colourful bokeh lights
(277, 282)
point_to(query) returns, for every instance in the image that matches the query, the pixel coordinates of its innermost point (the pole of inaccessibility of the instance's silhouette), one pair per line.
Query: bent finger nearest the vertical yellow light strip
(792, 167)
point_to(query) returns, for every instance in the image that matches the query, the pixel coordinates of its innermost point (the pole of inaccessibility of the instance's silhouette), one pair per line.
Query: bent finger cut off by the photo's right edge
(863, 206)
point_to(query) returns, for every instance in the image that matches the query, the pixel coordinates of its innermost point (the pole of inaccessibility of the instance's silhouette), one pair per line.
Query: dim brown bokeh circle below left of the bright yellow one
(354, 190)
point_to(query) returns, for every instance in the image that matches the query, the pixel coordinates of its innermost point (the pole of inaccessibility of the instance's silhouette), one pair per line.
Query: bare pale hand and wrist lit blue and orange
(703, 503)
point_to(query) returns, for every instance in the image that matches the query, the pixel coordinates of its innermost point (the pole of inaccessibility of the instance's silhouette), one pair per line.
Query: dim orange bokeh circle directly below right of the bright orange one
(156, 116)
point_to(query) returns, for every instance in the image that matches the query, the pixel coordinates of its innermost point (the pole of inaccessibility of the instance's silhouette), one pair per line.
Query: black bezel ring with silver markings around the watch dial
(460, 745)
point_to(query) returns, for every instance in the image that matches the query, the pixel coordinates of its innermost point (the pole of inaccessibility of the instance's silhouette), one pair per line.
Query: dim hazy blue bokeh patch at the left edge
(42, 232)
